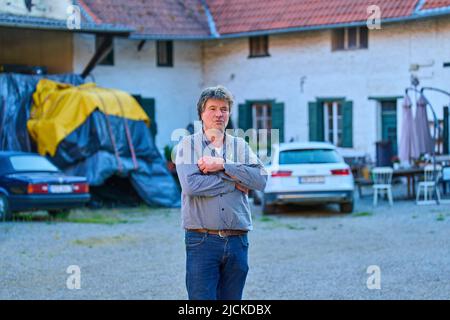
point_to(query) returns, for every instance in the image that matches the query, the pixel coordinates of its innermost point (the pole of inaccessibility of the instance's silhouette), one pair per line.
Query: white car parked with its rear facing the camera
(308, 173)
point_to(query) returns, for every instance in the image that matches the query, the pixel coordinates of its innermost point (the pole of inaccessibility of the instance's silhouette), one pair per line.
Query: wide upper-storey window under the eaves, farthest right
(350, 38)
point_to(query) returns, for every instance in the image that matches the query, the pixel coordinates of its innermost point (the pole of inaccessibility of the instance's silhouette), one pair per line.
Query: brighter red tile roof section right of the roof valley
(236, 16)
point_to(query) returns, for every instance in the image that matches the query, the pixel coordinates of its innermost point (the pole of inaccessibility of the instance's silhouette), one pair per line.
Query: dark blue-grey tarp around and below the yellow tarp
(88, 151)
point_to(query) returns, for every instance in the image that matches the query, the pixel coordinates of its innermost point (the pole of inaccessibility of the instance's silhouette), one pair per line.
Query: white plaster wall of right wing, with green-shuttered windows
(381, 70)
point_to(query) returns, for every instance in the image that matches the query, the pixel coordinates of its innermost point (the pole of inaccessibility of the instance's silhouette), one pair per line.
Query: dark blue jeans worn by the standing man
(216, 267)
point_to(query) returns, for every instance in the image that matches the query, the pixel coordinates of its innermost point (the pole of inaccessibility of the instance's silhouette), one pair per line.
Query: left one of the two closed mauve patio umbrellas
(408, 148)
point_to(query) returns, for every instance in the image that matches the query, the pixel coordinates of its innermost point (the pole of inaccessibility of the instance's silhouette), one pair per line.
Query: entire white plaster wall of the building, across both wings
(381, 70)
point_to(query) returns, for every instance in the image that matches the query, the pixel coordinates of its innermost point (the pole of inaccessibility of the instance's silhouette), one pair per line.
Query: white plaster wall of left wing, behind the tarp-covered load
(175, 89)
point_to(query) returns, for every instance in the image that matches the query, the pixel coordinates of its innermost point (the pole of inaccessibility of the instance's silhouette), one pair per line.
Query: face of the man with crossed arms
(216, 114)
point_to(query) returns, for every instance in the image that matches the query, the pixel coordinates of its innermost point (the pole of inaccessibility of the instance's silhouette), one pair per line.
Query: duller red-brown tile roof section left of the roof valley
(184, 18)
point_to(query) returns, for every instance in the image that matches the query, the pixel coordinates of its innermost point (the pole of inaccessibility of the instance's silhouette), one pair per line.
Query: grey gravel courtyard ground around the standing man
(301, 253)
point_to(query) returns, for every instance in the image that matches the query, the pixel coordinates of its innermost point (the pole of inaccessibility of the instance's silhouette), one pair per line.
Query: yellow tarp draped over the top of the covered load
(58, 109)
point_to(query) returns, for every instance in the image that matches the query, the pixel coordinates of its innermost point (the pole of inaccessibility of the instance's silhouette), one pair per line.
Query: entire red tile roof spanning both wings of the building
(189, 18)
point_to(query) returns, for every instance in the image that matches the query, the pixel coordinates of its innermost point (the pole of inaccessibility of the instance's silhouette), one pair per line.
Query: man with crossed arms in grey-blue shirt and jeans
(216, 172)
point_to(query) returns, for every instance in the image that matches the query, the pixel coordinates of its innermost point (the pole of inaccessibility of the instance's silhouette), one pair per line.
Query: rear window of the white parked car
(309, 156)
